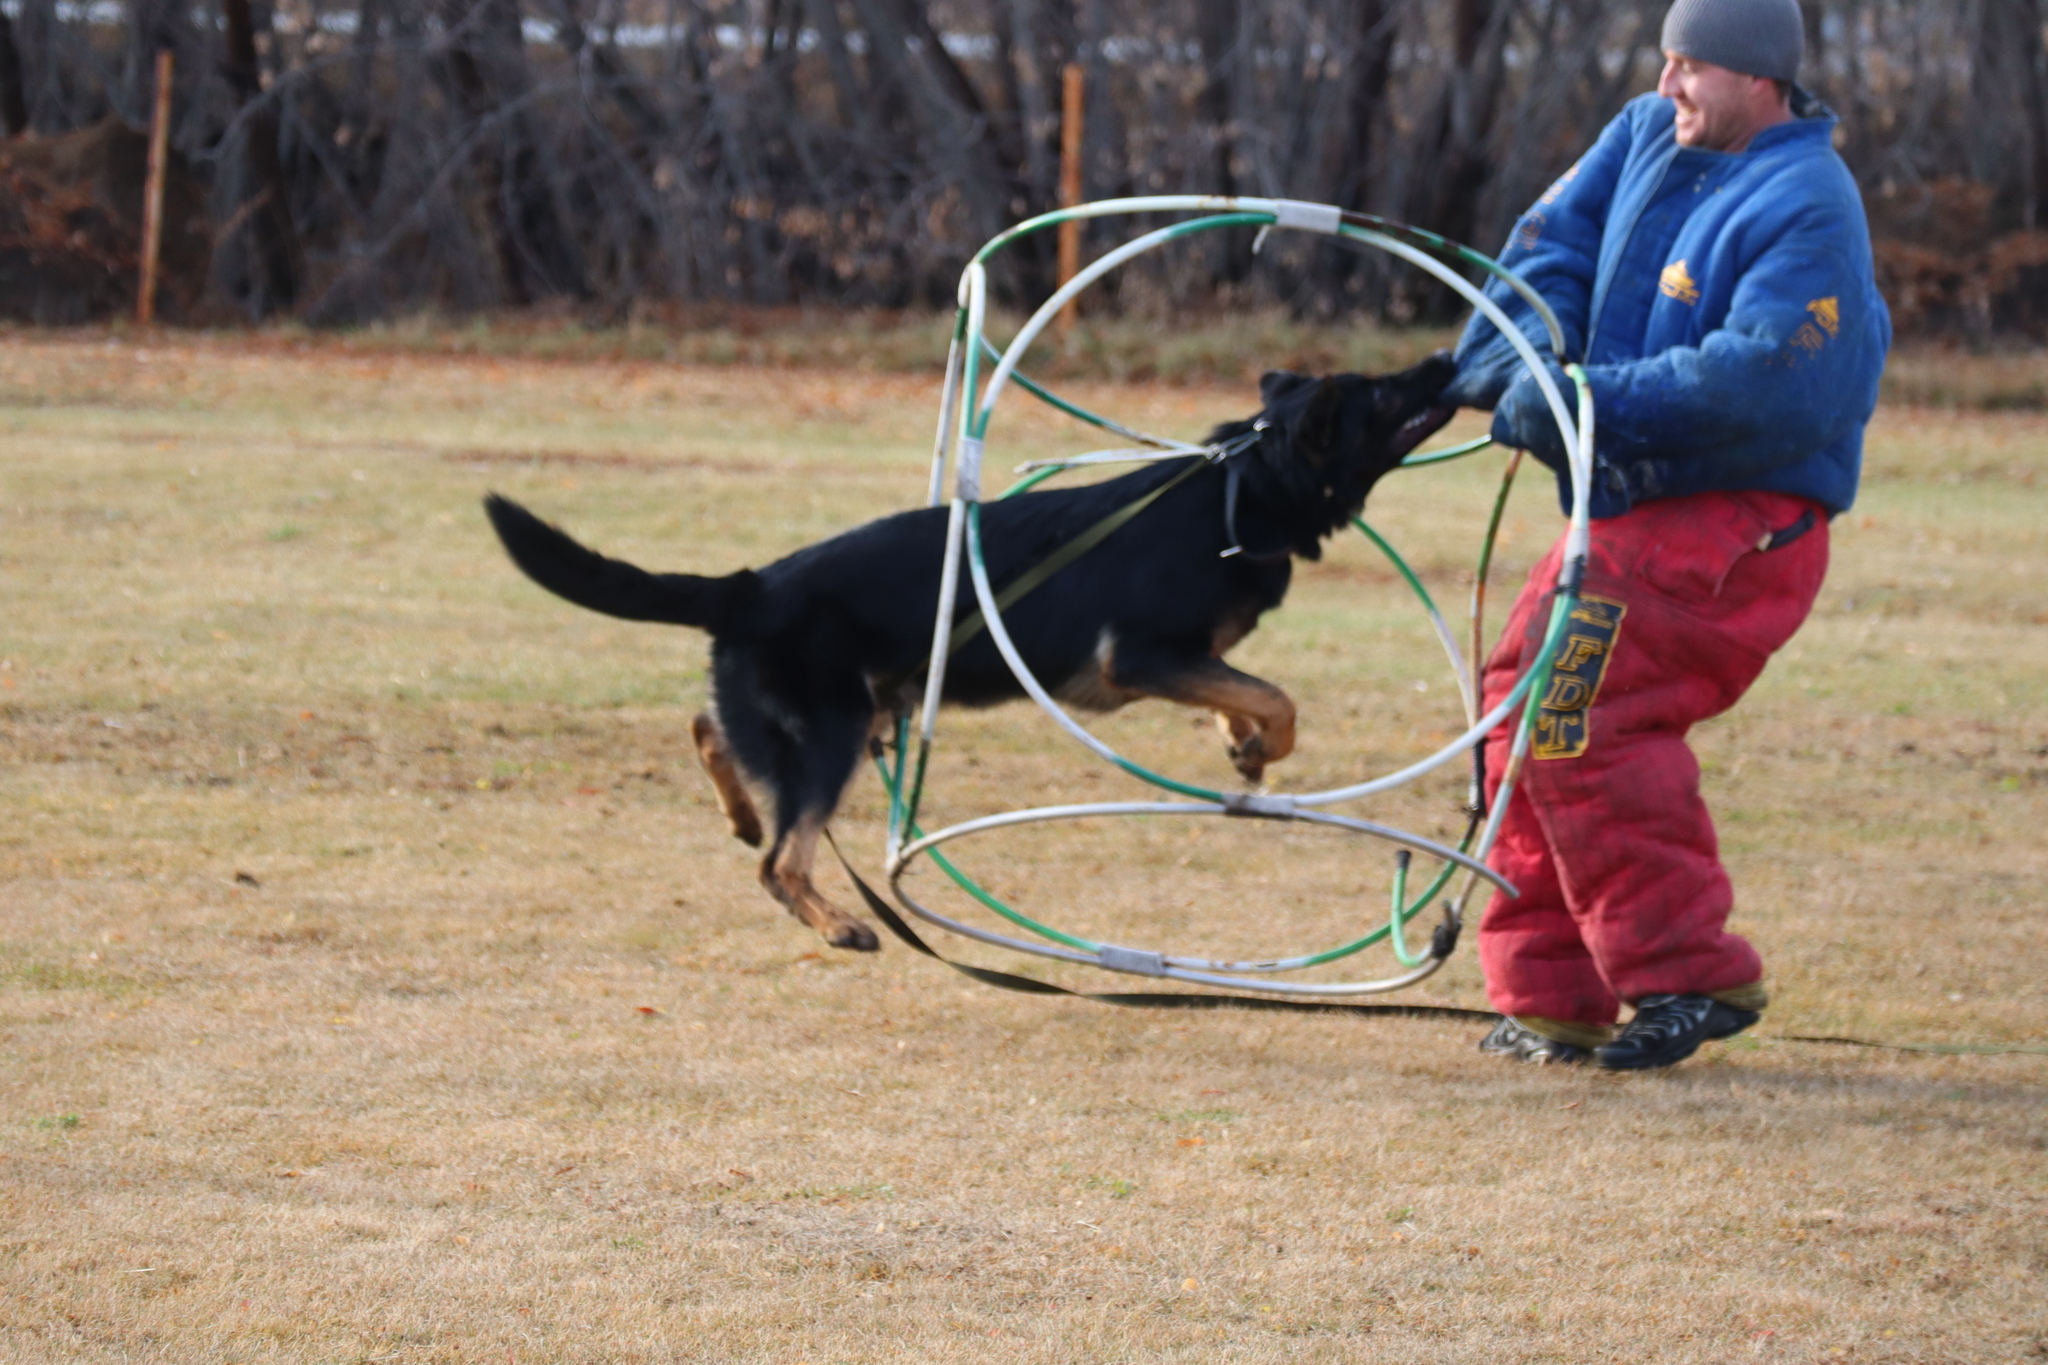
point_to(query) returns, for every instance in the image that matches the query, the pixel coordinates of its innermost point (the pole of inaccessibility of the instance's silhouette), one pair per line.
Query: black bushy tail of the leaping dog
(568, 570)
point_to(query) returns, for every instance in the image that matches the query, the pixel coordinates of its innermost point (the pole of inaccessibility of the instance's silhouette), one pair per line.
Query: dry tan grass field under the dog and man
(380, 985)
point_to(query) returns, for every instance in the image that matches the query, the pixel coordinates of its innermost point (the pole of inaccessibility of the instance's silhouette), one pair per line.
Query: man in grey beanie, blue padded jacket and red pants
(1711, 265)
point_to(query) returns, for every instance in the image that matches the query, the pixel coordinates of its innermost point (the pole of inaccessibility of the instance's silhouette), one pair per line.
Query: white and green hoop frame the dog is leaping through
(968, 404)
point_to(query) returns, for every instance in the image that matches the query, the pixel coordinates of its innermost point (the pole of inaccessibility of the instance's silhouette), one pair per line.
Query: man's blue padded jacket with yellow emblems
(1723, 306)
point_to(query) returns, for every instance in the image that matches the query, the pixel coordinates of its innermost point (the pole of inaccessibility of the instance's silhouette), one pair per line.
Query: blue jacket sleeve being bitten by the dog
(1555, 247)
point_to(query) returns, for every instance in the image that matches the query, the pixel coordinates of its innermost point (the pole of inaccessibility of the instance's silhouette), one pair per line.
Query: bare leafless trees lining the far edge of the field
(388, 155)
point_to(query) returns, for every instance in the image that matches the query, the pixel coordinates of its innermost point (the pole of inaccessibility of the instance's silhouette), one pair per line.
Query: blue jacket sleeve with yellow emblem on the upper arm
(1789, 371)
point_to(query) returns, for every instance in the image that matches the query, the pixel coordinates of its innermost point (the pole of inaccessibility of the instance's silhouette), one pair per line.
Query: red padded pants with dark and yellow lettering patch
(1623, 891)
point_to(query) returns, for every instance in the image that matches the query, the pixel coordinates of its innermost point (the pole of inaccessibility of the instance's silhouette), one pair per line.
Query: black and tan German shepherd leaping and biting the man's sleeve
(816, 652)
